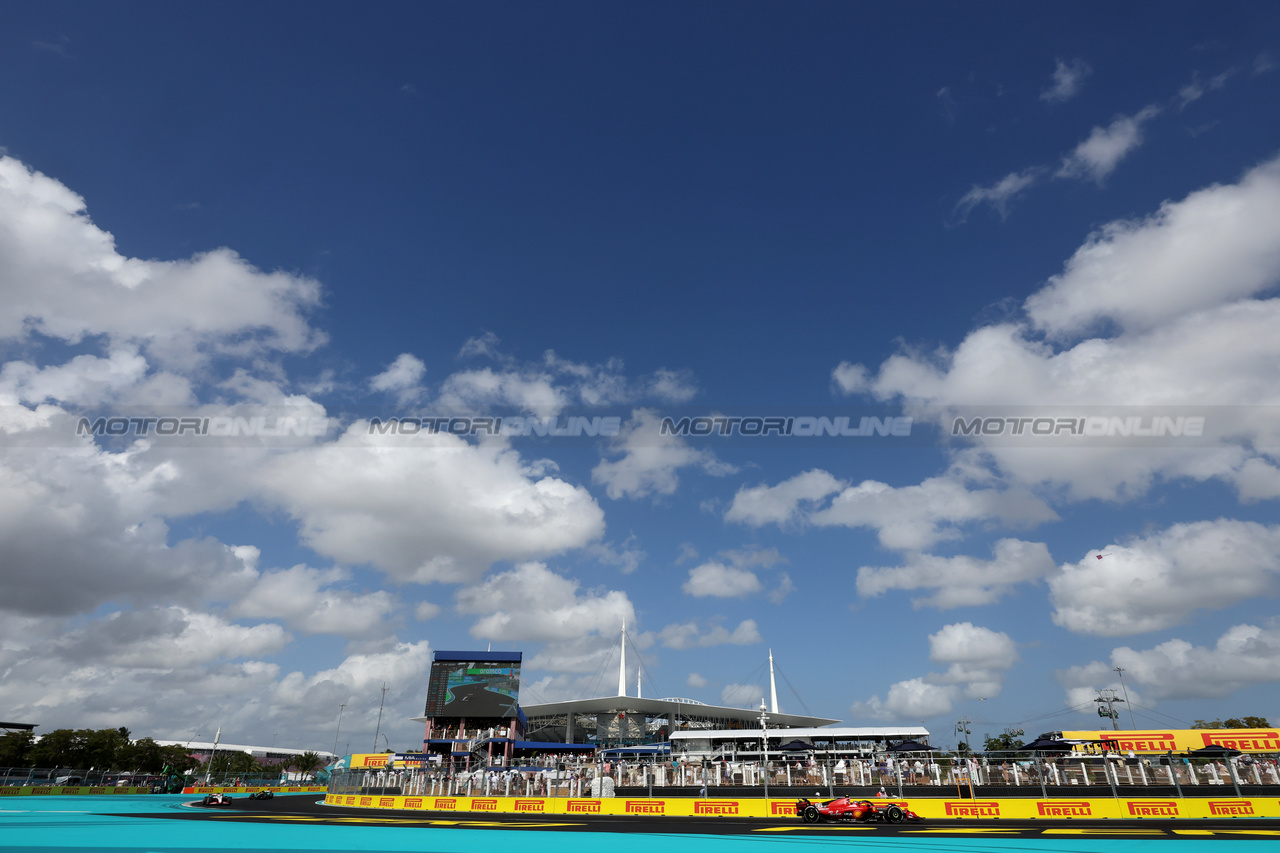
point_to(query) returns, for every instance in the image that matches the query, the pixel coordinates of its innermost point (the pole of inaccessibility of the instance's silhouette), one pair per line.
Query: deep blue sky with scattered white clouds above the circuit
(909, 211)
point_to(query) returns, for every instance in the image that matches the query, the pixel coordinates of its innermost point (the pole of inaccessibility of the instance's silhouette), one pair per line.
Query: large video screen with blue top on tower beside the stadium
(474, 685)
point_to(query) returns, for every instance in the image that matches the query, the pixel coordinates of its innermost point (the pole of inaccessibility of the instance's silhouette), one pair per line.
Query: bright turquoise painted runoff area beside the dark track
(107, 825)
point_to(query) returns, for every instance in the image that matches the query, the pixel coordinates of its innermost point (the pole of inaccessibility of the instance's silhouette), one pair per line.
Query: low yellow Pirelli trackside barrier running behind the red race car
(926, 809)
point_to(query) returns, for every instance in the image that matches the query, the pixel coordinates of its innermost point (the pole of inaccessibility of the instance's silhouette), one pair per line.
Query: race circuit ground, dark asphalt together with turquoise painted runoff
(303, 824)
